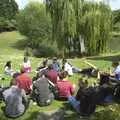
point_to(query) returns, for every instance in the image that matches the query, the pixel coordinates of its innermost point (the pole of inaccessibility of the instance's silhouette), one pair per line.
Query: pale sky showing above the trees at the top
(115, 4)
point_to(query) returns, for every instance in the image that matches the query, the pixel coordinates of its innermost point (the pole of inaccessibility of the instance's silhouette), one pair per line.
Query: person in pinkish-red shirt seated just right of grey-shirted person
(64, 87)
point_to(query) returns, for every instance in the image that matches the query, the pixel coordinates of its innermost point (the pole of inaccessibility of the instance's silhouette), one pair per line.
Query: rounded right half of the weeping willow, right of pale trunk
(96, 22)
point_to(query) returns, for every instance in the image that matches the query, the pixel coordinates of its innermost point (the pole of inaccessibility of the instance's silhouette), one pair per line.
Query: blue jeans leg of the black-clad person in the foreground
(75, 104)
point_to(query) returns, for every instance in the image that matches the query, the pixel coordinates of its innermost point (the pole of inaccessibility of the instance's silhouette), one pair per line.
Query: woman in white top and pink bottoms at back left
(27, 64)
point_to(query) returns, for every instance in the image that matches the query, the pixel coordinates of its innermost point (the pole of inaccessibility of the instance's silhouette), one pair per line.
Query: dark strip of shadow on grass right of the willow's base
(106, 58)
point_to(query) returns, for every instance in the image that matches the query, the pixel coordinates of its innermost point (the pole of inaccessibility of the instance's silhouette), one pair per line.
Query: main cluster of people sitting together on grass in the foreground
(52, 82)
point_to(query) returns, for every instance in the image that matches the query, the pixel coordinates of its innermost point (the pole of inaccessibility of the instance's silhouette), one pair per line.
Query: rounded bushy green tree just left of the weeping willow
(34, 23)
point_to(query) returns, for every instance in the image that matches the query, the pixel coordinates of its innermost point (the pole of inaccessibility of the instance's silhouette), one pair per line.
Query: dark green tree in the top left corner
(8, 11)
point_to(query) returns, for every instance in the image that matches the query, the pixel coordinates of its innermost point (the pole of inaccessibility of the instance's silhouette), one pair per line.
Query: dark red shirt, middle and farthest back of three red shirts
(52, 76)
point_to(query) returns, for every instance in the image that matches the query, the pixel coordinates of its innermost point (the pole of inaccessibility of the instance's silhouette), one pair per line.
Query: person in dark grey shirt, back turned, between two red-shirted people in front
(41, 92)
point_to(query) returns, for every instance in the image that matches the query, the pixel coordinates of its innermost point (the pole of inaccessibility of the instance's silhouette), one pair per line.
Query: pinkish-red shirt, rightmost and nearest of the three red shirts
(65, 88)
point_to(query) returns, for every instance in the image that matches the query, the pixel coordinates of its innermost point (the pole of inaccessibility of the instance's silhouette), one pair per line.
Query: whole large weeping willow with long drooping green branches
(76, 20)
